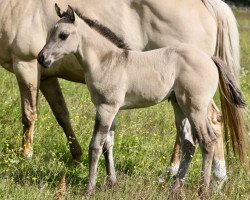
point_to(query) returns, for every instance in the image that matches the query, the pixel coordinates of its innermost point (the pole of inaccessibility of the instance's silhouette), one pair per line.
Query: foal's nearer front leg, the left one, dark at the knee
(104, 117)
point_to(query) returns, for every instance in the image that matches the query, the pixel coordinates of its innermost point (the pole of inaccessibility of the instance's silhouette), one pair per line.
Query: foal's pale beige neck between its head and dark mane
(94, 48)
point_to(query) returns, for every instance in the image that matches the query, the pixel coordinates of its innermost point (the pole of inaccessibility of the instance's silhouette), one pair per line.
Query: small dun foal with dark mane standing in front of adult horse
(118, 78)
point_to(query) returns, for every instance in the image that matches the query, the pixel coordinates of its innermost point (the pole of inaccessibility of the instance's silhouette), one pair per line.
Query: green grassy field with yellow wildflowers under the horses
(143, 143)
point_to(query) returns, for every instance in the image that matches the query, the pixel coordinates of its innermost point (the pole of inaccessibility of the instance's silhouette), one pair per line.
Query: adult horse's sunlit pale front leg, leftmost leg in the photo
(28, 78)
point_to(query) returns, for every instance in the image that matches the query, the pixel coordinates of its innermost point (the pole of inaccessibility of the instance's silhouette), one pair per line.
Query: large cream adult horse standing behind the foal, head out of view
(144, 24)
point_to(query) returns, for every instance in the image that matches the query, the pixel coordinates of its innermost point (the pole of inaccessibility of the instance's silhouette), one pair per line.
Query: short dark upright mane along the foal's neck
(105, 31)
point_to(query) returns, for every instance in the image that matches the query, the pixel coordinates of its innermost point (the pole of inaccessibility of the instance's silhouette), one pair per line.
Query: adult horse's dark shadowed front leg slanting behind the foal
(52, 92)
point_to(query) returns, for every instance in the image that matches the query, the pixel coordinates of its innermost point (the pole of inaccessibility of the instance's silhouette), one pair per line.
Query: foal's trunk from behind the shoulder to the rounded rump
(153, 75)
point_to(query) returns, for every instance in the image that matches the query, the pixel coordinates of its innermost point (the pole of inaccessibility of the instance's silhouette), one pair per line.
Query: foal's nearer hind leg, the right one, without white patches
(195, 108)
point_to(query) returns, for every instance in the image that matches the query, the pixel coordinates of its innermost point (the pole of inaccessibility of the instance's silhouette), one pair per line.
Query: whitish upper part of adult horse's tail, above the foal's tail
(227, 47)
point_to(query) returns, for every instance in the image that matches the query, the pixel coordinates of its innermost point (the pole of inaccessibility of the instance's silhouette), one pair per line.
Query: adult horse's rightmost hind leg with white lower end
(219, 164)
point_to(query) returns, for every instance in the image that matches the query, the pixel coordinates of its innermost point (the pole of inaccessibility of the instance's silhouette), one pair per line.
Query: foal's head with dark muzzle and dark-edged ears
(63, 39)
